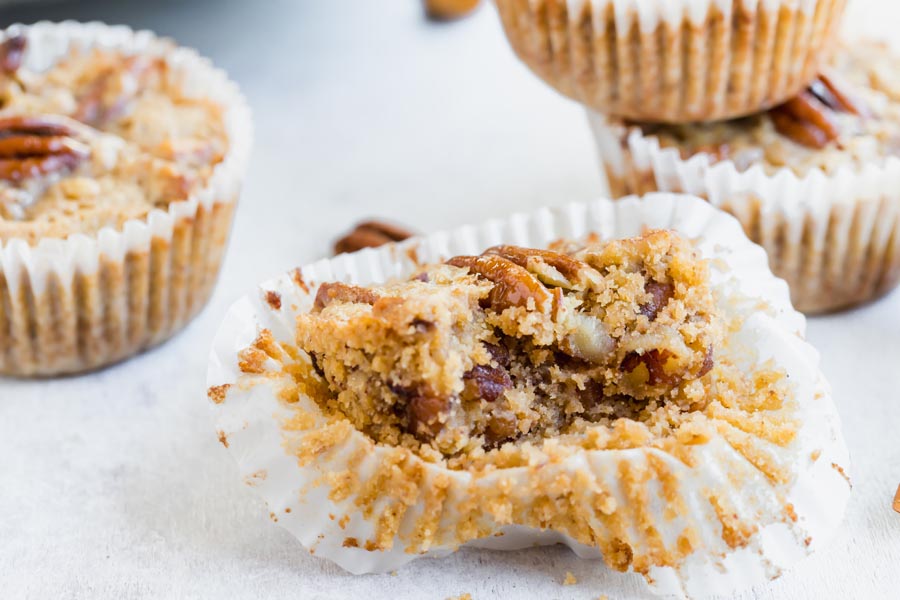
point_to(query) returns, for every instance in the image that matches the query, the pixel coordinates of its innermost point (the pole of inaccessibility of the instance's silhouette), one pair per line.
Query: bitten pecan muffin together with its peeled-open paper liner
(627, 378)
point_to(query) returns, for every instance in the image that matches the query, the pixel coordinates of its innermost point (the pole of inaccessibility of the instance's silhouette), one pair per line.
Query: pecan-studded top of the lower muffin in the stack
(849, 117)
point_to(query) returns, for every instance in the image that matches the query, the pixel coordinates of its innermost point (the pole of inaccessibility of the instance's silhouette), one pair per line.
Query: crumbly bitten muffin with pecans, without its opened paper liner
(518, 346)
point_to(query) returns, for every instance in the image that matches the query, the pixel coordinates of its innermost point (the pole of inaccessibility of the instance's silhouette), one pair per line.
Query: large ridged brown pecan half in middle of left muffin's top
(32, 146)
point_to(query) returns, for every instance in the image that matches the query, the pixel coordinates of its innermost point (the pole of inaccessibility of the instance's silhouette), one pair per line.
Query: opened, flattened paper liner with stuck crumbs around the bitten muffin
(371, 507)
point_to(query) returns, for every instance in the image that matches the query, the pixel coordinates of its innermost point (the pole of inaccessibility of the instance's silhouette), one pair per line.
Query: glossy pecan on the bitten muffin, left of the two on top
(513, 285)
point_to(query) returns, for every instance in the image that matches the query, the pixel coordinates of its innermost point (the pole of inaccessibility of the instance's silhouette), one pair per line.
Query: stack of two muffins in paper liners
(754, 105)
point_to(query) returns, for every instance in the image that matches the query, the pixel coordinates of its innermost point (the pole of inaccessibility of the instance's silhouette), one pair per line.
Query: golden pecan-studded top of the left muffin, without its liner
(97, 139)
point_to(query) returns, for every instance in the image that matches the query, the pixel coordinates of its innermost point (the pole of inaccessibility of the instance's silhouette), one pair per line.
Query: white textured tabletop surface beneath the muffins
(113, 485)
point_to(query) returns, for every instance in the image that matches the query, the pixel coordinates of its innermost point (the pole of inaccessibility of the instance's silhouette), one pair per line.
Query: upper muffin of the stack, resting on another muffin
(673, 61)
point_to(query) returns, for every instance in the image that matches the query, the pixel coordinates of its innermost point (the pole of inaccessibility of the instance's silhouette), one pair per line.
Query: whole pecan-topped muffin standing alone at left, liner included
(121, 158)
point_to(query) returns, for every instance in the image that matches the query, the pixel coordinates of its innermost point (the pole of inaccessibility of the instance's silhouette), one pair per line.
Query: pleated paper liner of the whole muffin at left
(70, 305)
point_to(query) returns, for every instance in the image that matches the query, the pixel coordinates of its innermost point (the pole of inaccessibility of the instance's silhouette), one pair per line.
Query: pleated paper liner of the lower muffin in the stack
(834, 237)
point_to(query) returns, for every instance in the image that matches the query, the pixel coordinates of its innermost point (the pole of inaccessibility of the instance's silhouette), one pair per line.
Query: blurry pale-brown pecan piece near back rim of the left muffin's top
(108, 96)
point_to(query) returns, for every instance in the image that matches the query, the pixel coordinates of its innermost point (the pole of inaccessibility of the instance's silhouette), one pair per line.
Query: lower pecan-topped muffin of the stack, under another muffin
(816, 181)
